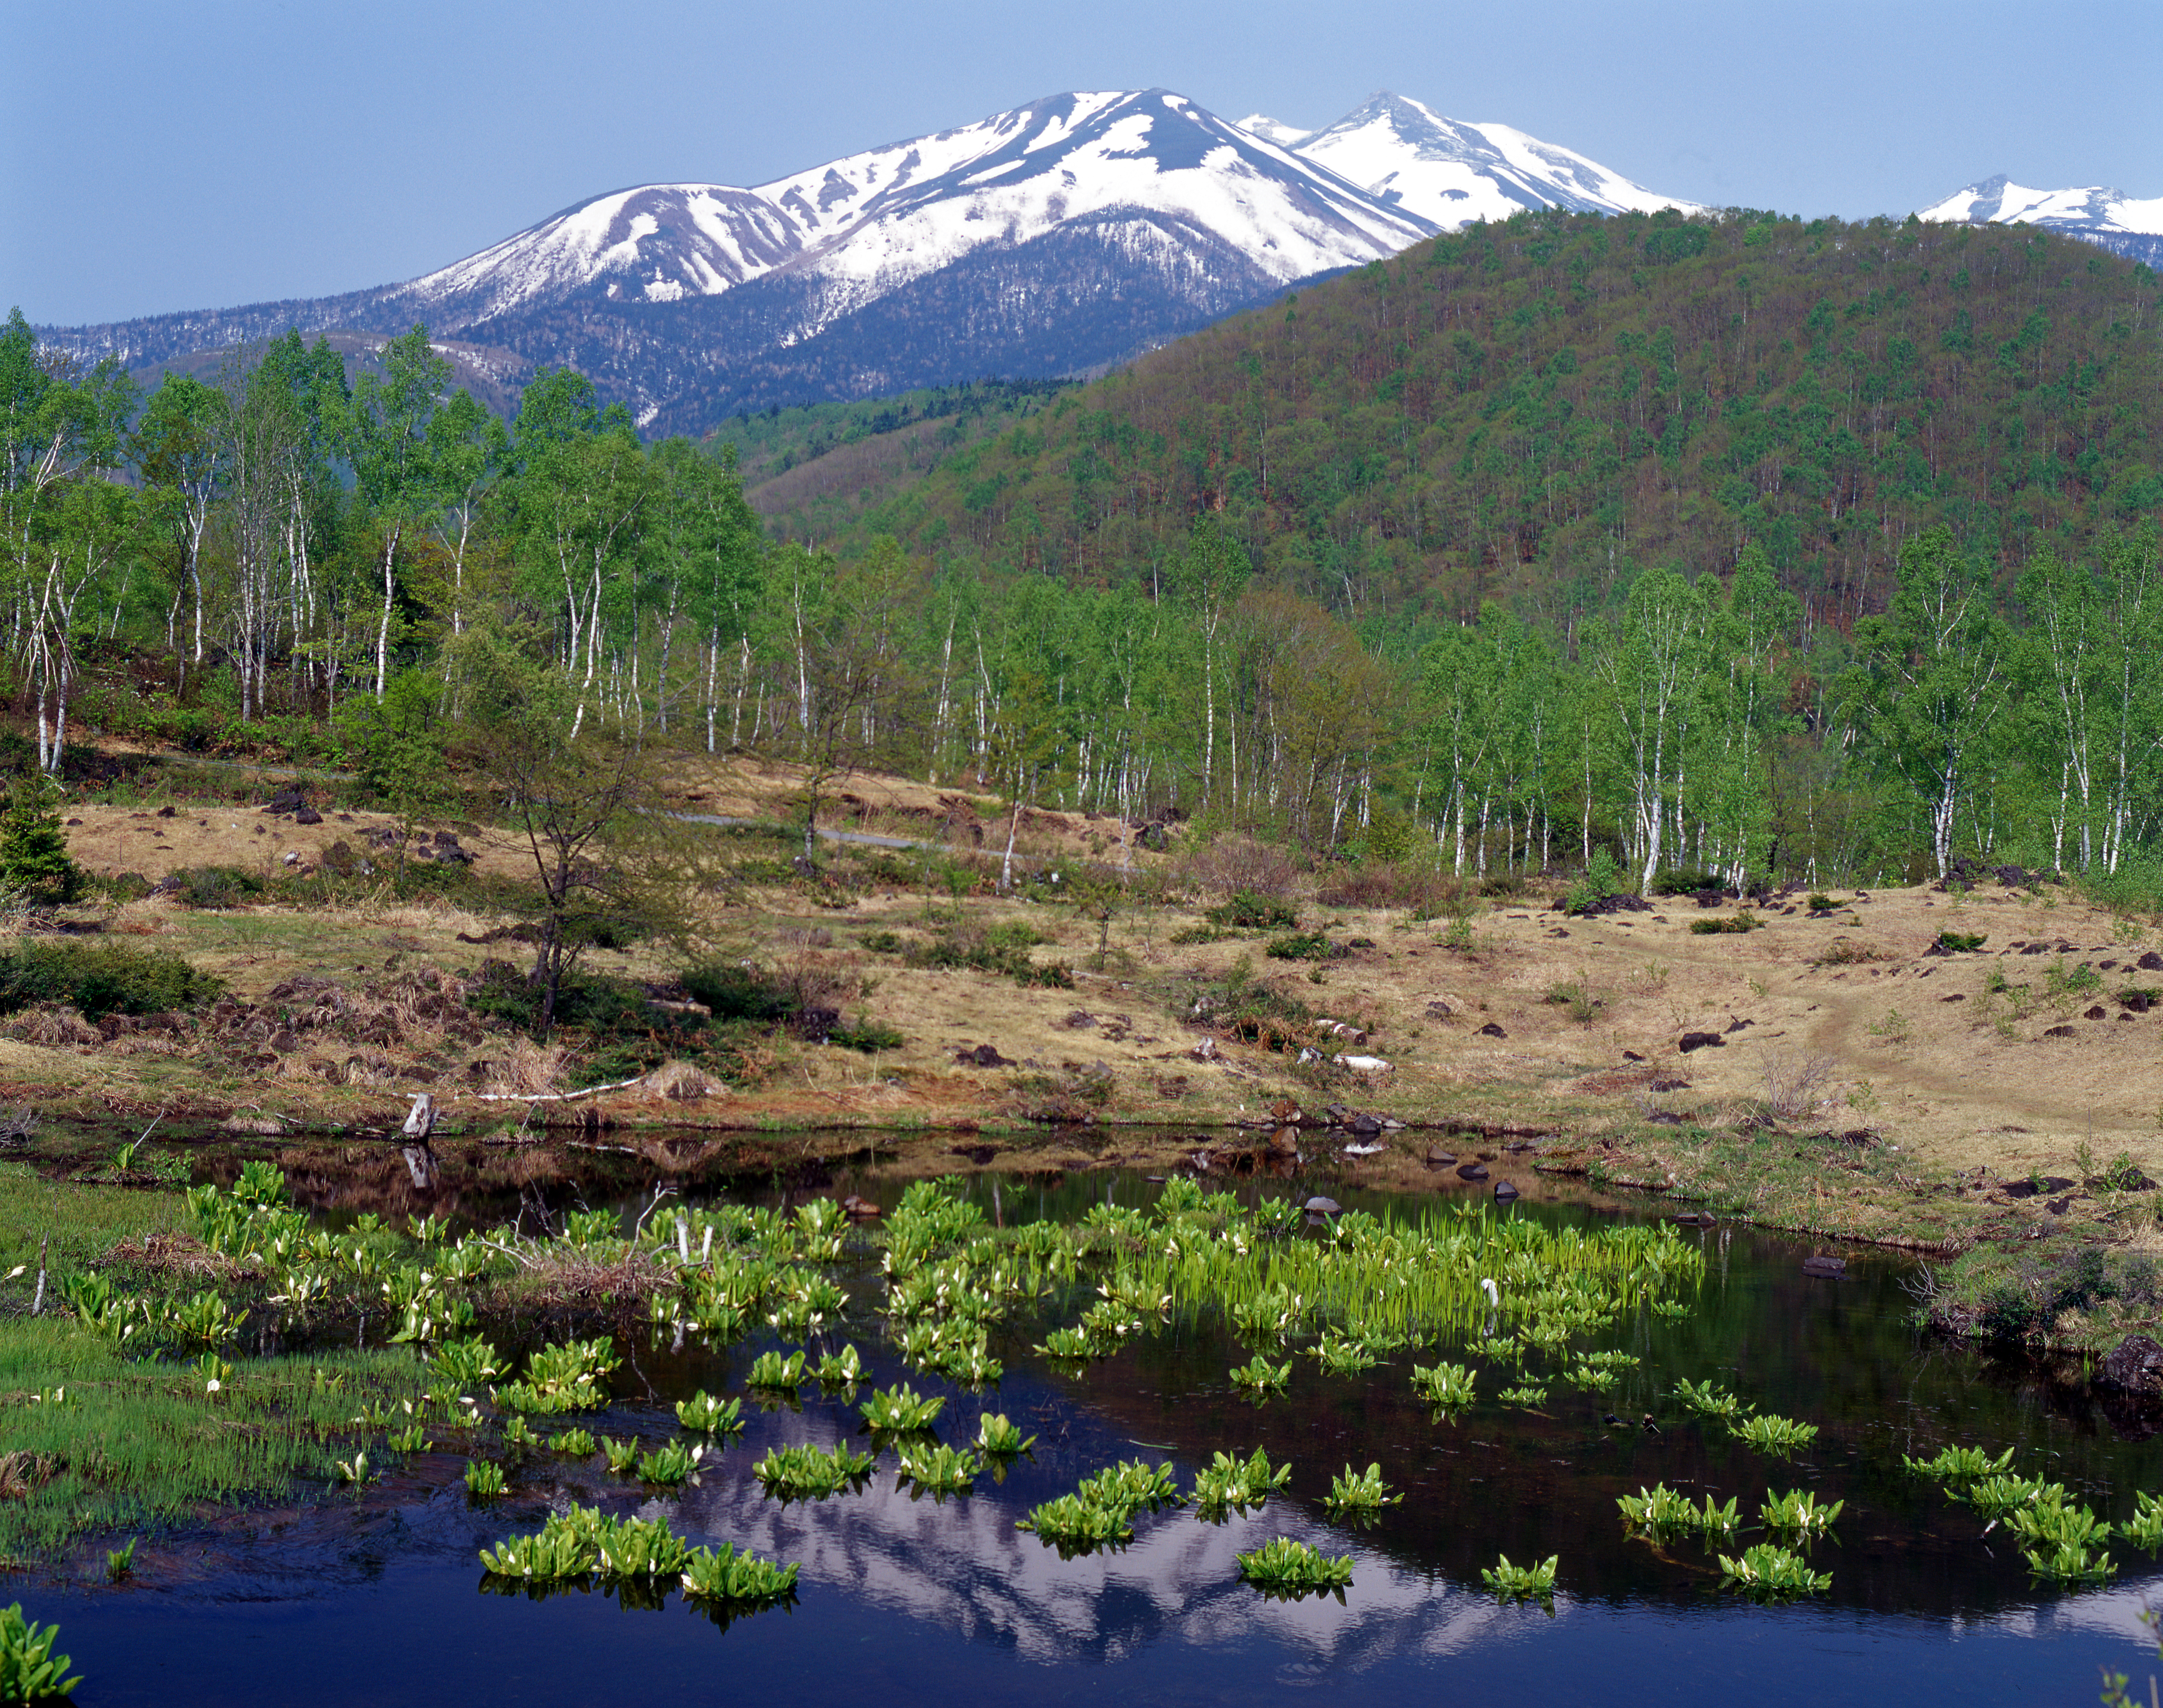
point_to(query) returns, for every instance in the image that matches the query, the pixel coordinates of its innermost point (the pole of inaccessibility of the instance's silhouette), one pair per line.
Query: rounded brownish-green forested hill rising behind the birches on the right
(1530, 408)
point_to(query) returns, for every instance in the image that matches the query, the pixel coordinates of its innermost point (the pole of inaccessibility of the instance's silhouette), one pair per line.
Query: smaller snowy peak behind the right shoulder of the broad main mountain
(1452, 174)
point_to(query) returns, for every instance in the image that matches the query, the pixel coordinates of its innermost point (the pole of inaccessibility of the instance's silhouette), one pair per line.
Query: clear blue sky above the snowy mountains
(170, 157)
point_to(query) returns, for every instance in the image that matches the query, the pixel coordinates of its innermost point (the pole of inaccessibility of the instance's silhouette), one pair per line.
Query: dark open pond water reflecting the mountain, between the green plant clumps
(382, 1599)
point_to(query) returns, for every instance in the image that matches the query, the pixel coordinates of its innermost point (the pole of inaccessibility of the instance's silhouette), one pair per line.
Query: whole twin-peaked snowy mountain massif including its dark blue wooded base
(1054, 239)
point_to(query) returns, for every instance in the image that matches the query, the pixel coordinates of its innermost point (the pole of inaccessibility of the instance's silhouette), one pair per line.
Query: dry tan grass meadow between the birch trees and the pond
(1917, 1084)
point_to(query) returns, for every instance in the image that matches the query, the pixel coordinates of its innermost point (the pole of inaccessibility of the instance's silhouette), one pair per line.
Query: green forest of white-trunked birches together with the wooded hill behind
(1736, 544)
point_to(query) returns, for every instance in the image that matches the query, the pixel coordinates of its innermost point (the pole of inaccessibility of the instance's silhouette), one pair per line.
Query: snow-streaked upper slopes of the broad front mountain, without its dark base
(1147, 170)
